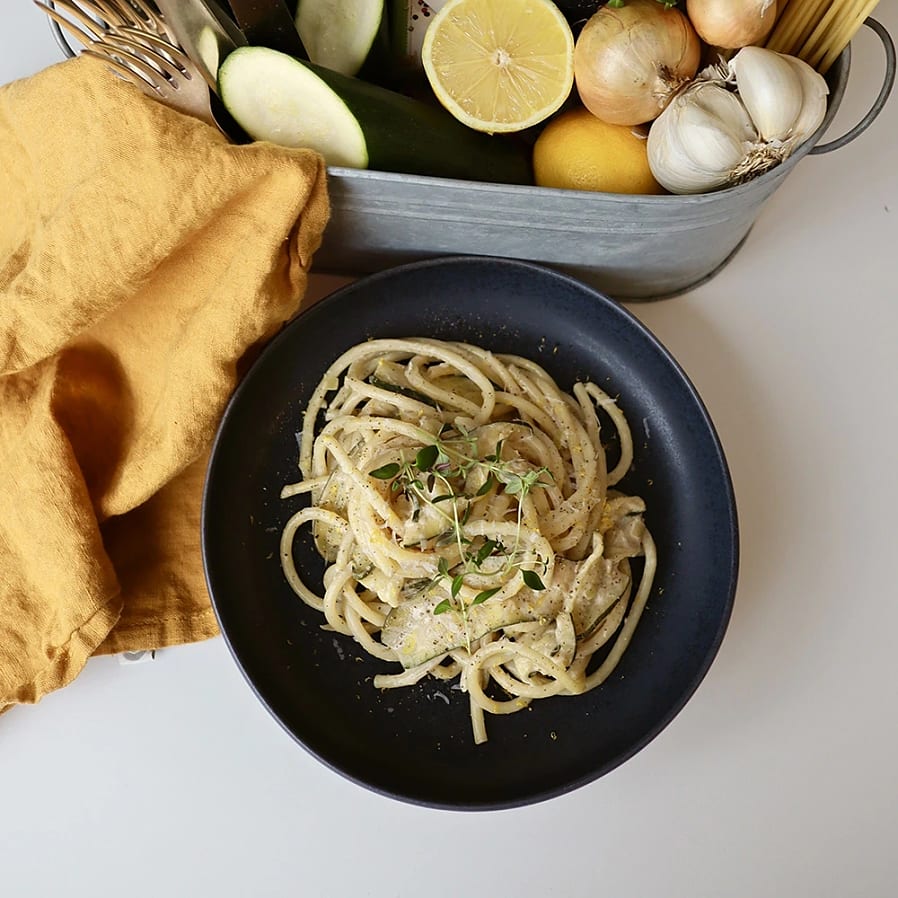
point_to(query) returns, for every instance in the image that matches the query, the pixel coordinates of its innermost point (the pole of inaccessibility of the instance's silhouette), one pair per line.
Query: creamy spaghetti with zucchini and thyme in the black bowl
(469, 523)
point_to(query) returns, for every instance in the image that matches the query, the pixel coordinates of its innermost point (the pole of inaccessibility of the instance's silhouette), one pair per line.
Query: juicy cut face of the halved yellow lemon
(499, 65)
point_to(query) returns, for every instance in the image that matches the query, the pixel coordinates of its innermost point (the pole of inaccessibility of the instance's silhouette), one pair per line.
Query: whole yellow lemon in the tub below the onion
(578, 151)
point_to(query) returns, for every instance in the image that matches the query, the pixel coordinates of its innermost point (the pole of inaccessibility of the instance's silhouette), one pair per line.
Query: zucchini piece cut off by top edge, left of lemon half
(342, 34)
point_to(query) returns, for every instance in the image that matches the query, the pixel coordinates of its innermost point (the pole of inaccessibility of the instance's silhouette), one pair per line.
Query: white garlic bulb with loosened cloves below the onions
(735, 121)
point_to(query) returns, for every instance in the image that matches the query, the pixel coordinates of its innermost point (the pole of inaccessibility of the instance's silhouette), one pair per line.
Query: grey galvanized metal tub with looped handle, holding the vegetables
(631, 247)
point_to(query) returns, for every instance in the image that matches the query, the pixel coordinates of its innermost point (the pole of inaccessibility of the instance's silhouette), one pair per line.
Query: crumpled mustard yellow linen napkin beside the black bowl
(143, 262)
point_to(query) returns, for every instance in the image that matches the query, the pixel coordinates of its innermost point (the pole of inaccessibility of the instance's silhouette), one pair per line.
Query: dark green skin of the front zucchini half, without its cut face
(414, 137)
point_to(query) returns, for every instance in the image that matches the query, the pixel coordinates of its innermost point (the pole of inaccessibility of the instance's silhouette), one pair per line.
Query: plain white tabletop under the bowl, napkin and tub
(780, 777)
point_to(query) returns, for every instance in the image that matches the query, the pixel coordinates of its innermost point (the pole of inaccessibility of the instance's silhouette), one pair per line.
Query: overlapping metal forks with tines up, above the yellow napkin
(133, 41)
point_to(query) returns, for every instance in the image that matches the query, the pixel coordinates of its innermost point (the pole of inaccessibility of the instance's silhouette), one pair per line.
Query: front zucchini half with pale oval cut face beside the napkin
(295, 103)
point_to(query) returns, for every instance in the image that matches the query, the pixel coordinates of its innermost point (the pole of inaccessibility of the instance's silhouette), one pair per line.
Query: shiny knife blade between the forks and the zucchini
(204, 32)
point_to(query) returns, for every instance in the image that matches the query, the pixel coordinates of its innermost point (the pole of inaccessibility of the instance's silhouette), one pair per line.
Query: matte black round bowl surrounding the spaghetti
(415, 743)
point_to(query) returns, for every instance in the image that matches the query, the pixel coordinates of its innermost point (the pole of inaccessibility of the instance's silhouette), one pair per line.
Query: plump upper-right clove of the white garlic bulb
(771, 90)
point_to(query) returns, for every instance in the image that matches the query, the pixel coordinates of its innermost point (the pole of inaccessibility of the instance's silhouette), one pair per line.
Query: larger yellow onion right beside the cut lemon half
(629, 62)
